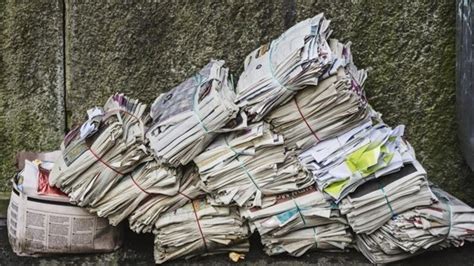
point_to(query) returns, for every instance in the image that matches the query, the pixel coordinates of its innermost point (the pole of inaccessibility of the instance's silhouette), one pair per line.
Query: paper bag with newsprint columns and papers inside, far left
(41, 223)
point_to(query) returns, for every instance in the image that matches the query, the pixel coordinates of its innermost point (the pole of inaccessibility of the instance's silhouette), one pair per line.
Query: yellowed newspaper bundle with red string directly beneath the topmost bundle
(329, 109)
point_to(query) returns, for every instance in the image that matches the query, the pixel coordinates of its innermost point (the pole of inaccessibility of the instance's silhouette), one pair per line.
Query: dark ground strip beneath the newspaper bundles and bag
(137, 250)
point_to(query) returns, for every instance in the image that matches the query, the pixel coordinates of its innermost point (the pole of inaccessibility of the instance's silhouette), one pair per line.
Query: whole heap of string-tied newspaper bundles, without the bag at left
(292, 151)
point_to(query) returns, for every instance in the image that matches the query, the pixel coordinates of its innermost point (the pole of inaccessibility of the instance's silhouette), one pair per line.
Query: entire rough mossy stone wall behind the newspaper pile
(143, 49)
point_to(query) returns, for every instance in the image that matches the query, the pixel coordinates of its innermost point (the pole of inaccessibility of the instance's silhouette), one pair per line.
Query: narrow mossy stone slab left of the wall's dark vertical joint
(31, 80)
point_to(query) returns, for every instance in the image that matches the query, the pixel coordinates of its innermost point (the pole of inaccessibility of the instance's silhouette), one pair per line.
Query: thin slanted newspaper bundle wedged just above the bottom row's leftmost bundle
(146, 215)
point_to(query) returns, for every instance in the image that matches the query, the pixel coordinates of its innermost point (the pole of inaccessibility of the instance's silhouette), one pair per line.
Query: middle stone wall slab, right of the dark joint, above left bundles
(144, 49)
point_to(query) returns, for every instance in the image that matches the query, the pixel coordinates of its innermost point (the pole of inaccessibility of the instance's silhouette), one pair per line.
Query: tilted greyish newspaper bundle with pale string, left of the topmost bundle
(186, 118)
